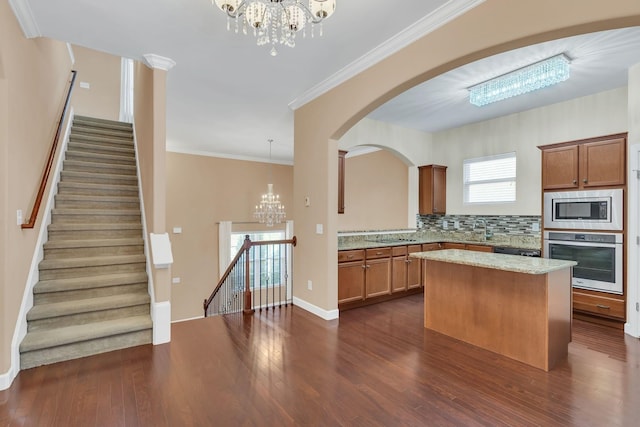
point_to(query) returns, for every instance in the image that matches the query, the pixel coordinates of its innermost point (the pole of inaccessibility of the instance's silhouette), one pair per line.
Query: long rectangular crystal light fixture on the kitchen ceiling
(527, 79)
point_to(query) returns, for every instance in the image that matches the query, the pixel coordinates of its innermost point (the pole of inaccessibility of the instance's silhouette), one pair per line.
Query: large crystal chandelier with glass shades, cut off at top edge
(276, 21)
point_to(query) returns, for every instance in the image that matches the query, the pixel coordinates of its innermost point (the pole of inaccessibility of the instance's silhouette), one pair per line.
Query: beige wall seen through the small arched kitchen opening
(376, 192)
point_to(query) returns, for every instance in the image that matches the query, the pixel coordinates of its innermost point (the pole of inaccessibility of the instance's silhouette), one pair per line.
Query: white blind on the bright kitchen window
(490, 179)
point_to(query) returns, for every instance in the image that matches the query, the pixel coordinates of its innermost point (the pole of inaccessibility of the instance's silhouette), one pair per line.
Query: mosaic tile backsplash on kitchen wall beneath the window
(500, 224)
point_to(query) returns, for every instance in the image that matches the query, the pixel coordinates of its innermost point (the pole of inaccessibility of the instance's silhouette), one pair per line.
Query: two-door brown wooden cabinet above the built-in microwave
(596, 162)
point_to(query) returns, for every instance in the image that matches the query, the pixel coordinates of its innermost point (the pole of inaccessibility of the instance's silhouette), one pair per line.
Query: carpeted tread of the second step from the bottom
(67, 308)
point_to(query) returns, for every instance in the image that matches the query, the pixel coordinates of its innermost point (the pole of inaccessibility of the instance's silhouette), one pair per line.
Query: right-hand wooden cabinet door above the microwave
(602, 163)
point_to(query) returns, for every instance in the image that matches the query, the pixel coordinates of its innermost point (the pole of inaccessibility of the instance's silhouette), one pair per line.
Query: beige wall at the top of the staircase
(102, 72)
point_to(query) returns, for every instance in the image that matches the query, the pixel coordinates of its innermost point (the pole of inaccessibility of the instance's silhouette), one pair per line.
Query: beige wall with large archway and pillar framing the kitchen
(470, 37)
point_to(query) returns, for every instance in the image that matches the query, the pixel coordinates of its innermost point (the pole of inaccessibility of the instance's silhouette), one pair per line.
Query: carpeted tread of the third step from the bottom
(79, 283)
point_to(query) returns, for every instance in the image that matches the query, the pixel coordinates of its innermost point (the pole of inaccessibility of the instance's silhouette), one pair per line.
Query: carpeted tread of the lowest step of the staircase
(37, 340)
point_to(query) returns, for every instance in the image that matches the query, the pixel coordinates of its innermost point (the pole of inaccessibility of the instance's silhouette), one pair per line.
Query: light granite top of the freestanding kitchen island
(515, 263)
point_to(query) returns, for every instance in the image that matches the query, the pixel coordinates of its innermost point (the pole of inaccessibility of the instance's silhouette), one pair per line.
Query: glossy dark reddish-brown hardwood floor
(376, 366)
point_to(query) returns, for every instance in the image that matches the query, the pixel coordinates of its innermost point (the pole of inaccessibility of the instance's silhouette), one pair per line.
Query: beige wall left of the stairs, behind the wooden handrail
(33, 80)
